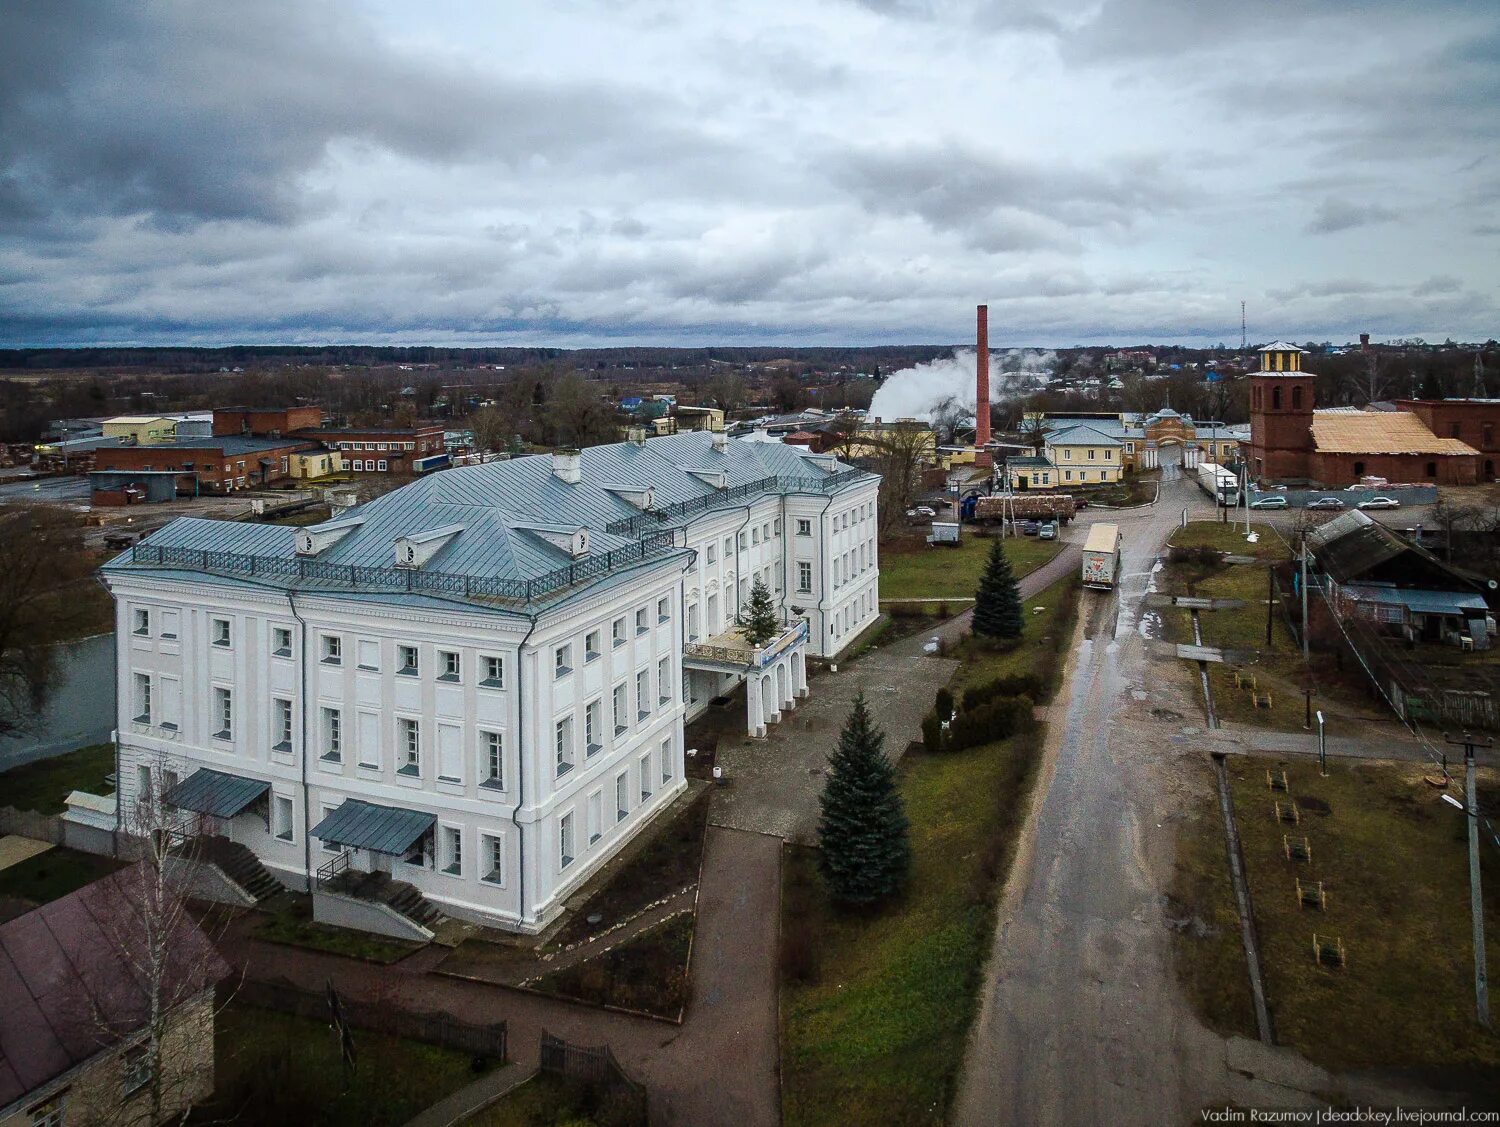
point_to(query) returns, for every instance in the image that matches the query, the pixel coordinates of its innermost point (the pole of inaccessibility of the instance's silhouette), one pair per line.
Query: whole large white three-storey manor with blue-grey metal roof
(467, 696)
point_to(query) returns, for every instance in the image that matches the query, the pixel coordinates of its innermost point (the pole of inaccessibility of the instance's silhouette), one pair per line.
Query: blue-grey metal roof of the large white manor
(497, 554)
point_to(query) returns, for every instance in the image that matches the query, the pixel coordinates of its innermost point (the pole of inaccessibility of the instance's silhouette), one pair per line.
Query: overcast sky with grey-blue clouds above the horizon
(800, 172)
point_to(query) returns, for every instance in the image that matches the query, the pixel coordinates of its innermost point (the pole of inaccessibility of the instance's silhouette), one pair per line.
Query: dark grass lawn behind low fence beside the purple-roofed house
(278, 1069)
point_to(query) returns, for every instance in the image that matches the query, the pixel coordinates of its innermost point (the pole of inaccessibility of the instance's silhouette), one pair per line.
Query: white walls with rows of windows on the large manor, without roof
(539, 742)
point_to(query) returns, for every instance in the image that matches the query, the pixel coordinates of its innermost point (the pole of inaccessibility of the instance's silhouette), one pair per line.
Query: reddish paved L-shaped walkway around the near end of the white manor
(721, 1066)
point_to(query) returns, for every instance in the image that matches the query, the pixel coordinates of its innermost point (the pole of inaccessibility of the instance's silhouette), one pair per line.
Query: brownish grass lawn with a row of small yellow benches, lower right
(1394, 864)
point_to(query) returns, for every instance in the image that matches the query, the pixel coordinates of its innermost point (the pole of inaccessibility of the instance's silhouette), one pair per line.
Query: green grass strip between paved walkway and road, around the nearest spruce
(877, 1008)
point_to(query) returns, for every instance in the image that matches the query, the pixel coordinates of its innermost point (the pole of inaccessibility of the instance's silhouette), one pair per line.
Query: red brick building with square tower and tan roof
(1450, 442)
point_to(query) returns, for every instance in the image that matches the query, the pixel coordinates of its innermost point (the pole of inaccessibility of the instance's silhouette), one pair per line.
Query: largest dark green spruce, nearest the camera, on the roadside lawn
(863, 829)
